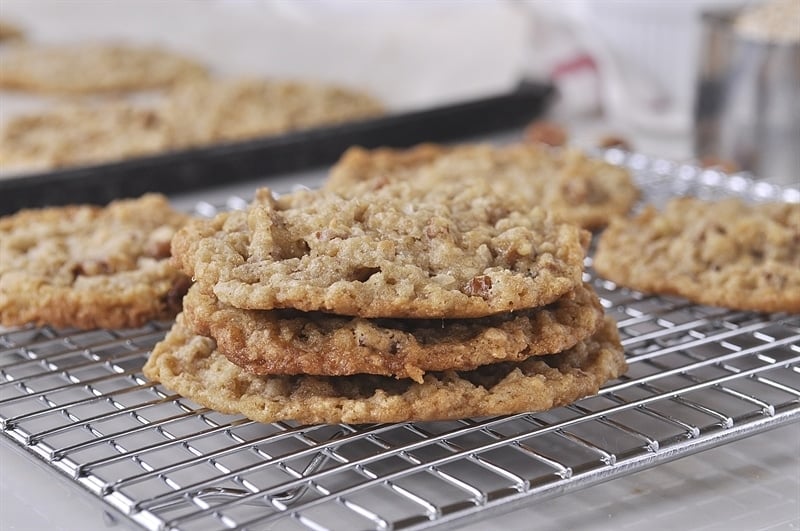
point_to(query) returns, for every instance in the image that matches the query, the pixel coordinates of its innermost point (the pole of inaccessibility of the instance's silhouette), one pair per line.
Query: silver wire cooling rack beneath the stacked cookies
(699, 377)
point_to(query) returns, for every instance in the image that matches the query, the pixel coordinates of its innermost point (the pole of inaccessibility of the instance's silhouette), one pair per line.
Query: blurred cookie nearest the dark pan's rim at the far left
(81, 134)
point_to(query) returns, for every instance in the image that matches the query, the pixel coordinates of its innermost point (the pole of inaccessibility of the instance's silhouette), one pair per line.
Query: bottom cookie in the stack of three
(189, 364)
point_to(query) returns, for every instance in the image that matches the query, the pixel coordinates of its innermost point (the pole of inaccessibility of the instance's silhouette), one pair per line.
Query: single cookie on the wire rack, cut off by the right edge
(722, 253)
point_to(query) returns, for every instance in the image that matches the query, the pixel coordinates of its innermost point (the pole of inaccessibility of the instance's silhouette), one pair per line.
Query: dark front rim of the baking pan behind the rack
(220, 164)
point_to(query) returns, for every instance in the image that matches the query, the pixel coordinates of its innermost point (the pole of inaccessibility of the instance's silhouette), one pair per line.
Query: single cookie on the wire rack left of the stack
(89, 266)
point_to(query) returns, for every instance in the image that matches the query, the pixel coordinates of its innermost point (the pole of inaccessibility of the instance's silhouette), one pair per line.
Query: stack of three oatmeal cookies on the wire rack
(320, 308)
